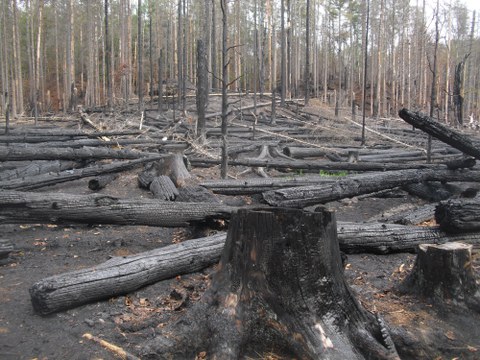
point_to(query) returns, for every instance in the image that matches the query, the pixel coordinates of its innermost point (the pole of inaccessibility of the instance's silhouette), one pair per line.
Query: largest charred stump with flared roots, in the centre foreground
(279, 291)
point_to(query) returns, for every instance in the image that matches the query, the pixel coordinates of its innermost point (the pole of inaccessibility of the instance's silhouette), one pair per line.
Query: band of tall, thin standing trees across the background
(55, 54)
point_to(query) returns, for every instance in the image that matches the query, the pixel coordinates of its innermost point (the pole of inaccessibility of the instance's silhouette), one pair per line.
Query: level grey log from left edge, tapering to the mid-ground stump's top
(8, 153)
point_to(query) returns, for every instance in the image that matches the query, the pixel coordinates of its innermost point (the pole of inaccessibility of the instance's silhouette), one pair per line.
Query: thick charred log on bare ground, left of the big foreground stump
(121, 275)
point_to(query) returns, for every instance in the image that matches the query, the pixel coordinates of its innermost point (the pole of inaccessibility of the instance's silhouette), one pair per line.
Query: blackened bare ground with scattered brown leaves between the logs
(437, 332)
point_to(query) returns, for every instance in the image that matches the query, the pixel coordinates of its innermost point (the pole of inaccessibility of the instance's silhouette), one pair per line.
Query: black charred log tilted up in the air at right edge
(441, 132)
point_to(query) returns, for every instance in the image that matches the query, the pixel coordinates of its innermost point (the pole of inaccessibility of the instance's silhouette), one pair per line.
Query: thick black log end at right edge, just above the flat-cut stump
(459, 215)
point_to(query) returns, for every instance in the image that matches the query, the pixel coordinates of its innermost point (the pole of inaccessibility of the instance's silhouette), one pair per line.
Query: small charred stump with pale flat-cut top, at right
(444, 272)
